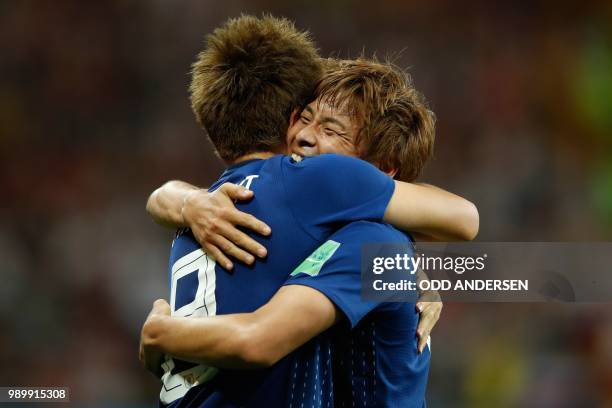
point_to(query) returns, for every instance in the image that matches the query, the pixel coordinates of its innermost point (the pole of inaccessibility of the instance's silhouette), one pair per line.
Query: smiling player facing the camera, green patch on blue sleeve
(274, 330)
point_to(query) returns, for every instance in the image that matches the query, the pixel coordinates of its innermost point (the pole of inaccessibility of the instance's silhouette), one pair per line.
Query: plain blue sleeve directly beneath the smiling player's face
(332, 189)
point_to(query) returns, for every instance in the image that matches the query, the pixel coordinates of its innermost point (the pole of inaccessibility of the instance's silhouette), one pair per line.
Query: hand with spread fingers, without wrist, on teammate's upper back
(213, 218)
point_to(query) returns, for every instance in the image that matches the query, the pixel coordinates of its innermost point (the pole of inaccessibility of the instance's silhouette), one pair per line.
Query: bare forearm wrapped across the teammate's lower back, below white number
(247, 340)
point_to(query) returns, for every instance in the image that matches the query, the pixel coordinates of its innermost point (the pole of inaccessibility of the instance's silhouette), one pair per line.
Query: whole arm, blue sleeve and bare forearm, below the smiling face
(348, 189)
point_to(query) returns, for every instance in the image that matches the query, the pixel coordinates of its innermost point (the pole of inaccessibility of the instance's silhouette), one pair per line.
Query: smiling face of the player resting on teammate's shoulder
(322, 128)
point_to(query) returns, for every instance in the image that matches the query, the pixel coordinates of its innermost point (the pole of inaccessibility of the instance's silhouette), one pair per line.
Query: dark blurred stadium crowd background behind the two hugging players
(94, 115)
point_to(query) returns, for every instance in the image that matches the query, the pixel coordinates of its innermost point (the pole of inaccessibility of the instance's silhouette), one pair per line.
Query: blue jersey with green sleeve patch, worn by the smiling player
(374, 356)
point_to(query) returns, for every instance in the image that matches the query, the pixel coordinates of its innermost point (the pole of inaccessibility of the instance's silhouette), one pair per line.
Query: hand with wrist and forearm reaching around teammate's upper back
(212, 217)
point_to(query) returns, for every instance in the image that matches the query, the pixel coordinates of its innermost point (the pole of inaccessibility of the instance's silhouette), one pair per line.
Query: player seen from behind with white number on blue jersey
(269, 56)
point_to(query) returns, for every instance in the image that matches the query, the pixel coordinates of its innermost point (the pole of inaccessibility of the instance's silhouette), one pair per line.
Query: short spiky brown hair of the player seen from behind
(245, 84)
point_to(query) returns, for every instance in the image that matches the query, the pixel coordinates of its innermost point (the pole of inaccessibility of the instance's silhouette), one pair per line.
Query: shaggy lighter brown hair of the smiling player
(397, 129)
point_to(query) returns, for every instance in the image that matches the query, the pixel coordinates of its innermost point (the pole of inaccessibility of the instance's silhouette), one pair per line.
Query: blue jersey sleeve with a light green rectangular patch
(334, 269)
